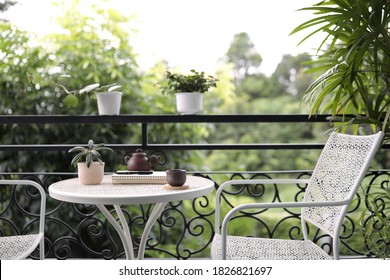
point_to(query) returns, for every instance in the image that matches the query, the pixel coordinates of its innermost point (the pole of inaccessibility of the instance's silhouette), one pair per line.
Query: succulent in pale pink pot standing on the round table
(90, 171)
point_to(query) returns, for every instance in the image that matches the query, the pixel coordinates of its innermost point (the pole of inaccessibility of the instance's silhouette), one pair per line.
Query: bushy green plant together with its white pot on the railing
(189, 90)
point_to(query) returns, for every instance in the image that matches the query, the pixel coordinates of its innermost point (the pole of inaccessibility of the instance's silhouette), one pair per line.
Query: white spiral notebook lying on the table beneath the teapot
(158, 177)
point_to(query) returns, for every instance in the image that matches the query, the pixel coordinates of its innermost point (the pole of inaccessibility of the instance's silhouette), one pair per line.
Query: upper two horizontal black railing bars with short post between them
(146, 120)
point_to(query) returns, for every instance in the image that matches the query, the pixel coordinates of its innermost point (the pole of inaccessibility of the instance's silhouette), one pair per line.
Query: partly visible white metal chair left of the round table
(21, 246)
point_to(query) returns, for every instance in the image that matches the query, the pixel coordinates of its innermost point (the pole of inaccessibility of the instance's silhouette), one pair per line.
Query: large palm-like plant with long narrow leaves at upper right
(353, 59)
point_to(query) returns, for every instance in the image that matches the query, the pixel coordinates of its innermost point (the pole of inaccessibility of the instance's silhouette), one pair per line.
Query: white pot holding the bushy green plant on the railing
(188, 103)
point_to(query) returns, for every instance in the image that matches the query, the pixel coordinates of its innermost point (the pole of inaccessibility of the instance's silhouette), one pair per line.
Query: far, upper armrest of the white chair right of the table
(249, 181)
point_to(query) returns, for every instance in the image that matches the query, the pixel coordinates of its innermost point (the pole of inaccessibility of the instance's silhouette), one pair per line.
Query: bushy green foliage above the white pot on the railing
(194, 82)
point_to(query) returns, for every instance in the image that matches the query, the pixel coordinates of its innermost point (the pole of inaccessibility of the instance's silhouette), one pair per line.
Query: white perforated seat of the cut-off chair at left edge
(18, 246)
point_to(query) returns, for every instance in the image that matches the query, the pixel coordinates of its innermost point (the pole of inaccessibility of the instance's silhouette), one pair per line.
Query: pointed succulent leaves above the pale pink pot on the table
(91, 153)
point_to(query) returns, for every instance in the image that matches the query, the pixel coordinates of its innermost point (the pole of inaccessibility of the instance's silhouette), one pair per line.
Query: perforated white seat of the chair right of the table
(247, 248)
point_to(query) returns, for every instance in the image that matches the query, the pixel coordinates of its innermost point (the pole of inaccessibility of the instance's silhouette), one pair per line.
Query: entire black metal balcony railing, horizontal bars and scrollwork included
(185, 228)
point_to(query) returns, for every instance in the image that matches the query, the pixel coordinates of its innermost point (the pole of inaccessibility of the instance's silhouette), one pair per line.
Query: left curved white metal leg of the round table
(123, 229)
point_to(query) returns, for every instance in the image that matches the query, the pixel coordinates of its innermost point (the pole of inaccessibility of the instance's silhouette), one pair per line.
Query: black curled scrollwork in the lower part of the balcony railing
(185, 228)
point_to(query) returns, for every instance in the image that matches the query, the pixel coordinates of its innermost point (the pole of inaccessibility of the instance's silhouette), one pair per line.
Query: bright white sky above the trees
(196, 33)
